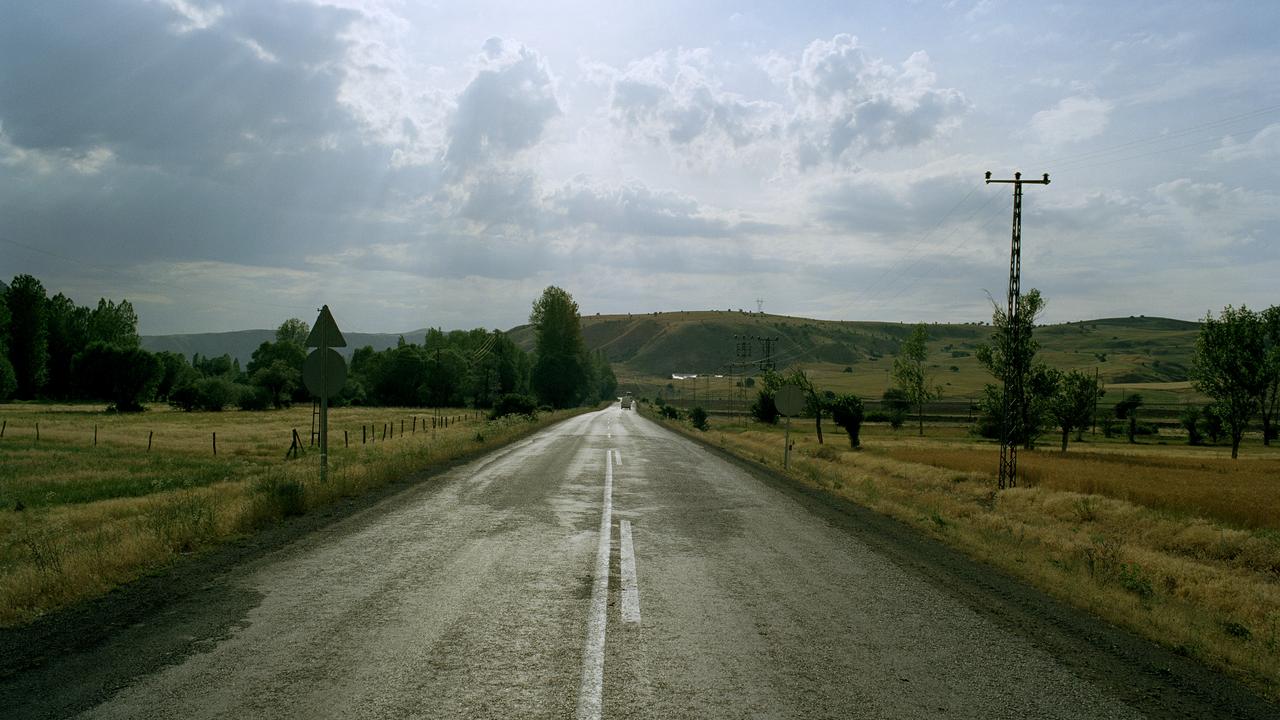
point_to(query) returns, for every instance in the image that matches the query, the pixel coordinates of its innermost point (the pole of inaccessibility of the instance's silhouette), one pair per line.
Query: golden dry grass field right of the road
(1178, 544)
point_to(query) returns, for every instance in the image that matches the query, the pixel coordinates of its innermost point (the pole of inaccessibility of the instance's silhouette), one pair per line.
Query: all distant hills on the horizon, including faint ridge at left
(1124, 350)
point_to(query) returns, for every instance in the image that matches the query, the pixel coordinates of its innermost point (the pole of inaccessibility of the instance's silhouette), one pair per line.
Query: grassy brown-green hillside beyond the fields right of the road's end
(1150, 354)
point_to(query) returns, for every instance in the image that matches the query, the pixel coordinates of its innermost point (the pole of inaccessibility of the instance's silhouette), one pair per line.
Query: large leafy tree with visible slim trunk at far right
(1229, 366)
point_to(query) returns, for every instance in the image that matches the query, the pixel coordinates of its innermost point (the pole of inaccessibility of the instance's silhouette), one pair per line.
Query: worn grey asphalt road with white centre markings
(604, 568)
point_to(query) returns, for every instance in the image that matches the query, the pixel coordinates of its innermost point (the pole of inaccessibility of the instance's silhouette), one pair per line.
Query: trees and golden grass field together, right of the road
(1155, 531)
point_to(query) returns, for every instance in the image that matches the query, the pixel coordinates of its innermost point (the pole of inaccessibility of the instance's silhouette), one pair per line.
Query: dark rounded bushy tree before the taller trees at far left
(125, 377)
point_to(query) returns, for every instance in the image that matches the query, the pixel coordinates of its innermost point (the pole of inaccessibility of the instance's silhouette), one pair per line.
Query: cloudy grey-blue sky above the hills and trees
(230, 165)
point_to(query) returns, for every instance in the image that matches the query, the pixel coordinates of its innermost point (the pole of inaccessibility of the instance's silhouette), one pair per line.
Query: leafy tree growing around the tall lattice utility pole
(1011, 357)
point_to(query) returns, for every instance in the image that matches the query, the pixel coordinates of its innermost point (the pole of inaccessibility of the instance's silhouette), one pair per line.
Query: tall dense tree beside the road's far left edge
(560, 372)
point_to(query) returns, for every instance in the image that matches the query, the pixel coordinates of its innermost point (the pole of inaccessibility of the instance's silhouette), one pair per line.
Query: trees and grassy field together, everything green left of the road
(190, 454)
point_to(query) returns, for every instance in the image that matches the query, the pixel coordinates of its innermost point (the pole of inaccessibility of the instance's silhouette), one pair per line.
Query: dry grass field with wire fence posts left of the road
(77, 518)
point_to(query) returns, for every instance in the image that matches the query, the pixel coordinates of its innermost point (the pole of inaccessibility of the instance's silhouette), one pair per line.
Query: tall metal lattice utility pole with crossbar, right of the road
(1016, 376)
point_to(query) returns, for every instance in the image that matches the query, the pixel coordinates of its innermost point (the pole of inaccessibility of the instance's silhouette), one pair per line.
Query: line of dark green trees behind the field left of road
(51, 349)
